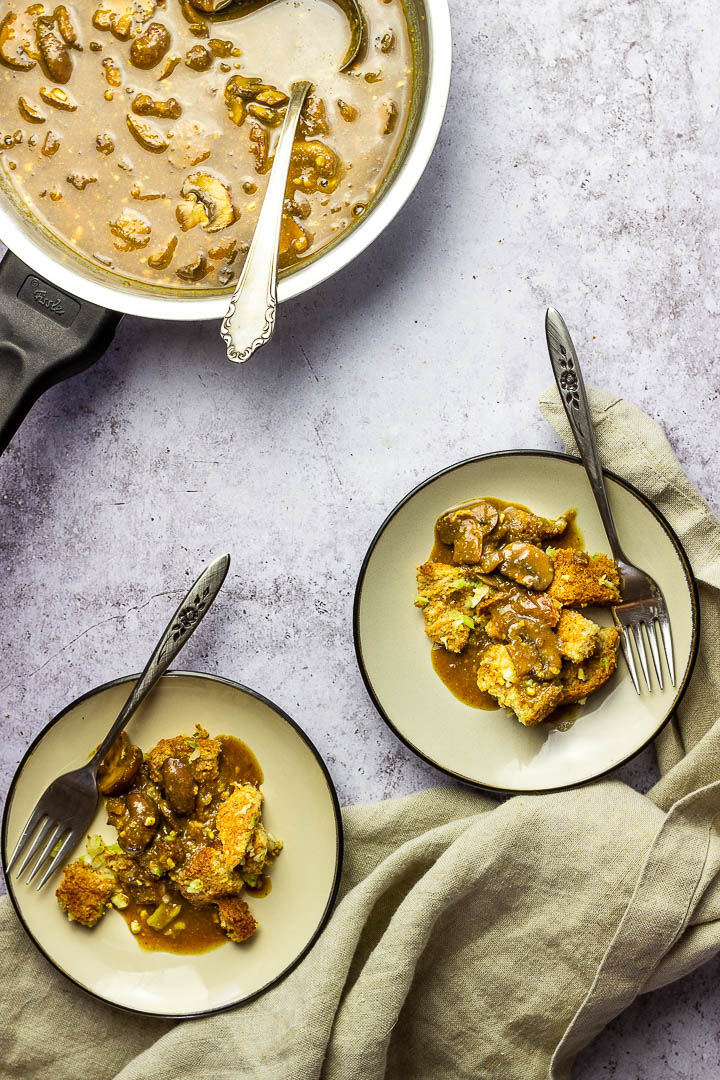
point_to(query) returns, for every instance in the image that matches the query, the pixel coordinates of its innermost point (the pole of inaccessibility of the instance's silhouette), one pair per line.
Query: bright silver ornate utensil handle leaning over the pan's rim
(251, 319)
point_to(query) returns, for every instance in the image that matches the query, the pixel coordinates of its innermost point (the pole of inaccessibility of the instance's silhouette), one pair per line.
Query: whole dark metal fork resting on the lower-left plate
(67, 807)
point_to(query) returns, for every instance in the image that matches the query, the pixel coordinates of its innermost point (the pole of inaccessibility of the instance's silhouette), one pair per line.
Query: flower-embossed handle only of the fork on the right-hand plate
(569, 379)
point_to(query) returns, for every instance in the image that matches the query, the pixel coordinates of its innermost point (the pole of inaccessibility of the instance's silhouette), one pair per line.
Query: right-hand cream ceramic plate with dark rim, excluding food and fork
(493, 749)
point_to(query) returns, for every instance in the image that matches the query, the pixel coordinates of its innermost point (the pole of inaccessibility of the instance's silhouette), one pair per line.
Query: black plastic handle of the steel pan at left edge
(46, 336)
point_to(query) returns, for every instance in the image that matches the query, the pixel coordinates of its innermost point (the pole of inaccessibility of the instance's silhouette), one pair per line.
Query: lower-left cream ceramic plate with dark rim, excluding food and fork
(301, 808)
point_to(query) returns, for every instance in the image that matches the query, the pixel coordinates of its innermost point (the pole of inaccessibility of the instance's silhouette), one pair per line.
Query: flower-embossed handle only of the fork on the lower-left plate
(180, 629)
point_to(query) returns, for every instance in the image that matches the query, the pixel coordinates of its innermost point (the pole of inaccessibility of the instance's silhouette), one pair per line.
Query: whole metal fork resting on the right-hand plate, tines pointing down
(644, 605)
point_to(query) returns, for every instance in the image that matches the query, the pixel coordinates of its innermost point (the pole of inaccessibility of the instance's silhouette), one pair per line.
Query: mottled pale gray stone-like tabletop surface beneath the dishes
(579, 166)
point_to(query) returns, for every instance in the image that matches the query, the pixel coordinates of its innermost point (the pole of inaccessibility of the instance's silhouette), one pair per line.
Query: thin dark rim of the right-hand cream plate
(685, 562)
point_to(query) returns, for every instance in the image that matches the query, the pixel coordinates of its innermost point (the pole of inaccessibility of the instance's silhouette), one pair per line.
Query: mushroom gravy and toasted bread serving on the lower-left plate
(191, 846)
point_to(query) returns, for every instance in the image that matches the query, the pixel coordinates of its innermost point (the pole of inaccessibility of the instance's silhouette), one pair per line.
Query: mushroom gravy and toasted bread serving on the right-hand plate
(502, 596)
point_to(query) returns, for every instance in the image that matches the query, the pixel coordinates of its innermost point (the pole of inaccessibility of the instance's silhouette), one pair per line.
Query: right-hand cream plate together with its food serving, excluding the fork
(521, 609)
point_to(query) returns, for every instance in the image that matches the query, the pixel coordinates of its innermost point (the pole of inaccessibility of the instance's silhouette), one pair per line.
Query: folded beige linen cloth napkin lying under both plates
(473, 939)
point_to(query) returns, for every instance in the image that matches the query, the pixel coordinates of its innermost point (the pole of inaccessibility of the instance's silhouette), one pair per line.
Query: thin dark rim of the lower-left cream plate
(338, 861)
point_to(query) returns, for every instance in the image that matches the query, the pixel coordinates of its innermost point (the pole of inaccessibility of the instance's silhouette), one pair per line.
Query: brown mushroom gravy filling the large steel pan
(141, 133)
